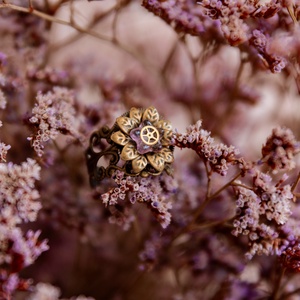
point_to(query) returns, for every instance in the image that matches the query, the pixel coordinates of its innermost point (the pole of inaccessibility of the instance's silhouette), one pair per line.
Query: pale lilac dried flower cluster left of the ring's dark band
(53, 114)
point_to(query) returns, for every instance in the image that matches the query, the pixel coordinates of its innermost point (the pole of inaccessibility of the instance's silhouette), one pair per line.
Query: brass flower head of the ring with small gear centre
(145, 141)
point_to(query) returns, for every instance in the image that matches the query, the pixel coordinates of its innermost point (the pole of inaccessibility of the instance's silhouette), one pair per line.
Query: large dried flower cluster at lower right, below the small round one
(261, 212)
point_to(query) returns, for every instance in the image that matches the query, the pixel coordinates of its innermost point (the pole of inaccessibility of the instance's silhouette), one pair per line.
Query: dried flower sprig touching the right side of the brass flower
(218, 156)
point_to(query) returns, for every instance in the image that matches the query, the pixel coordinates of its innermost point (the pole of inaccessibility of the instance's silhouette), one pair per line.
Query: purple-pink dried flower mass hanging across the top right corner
(249, 23)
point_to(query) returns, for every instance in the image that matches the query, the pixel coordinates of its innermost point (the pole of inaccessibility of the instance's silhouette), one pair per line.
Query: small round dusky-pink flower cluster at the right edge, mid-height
(280, 149)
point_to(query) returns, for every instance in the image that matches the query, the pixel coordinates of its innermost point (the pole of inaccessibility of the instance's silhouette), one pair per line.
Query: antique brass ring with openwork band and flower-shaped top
(139, 144)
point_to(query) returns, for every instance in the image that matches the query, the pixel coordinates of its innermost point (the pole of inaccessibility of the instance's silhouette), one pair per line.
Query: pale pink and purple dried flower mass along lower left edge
(19, 203)
